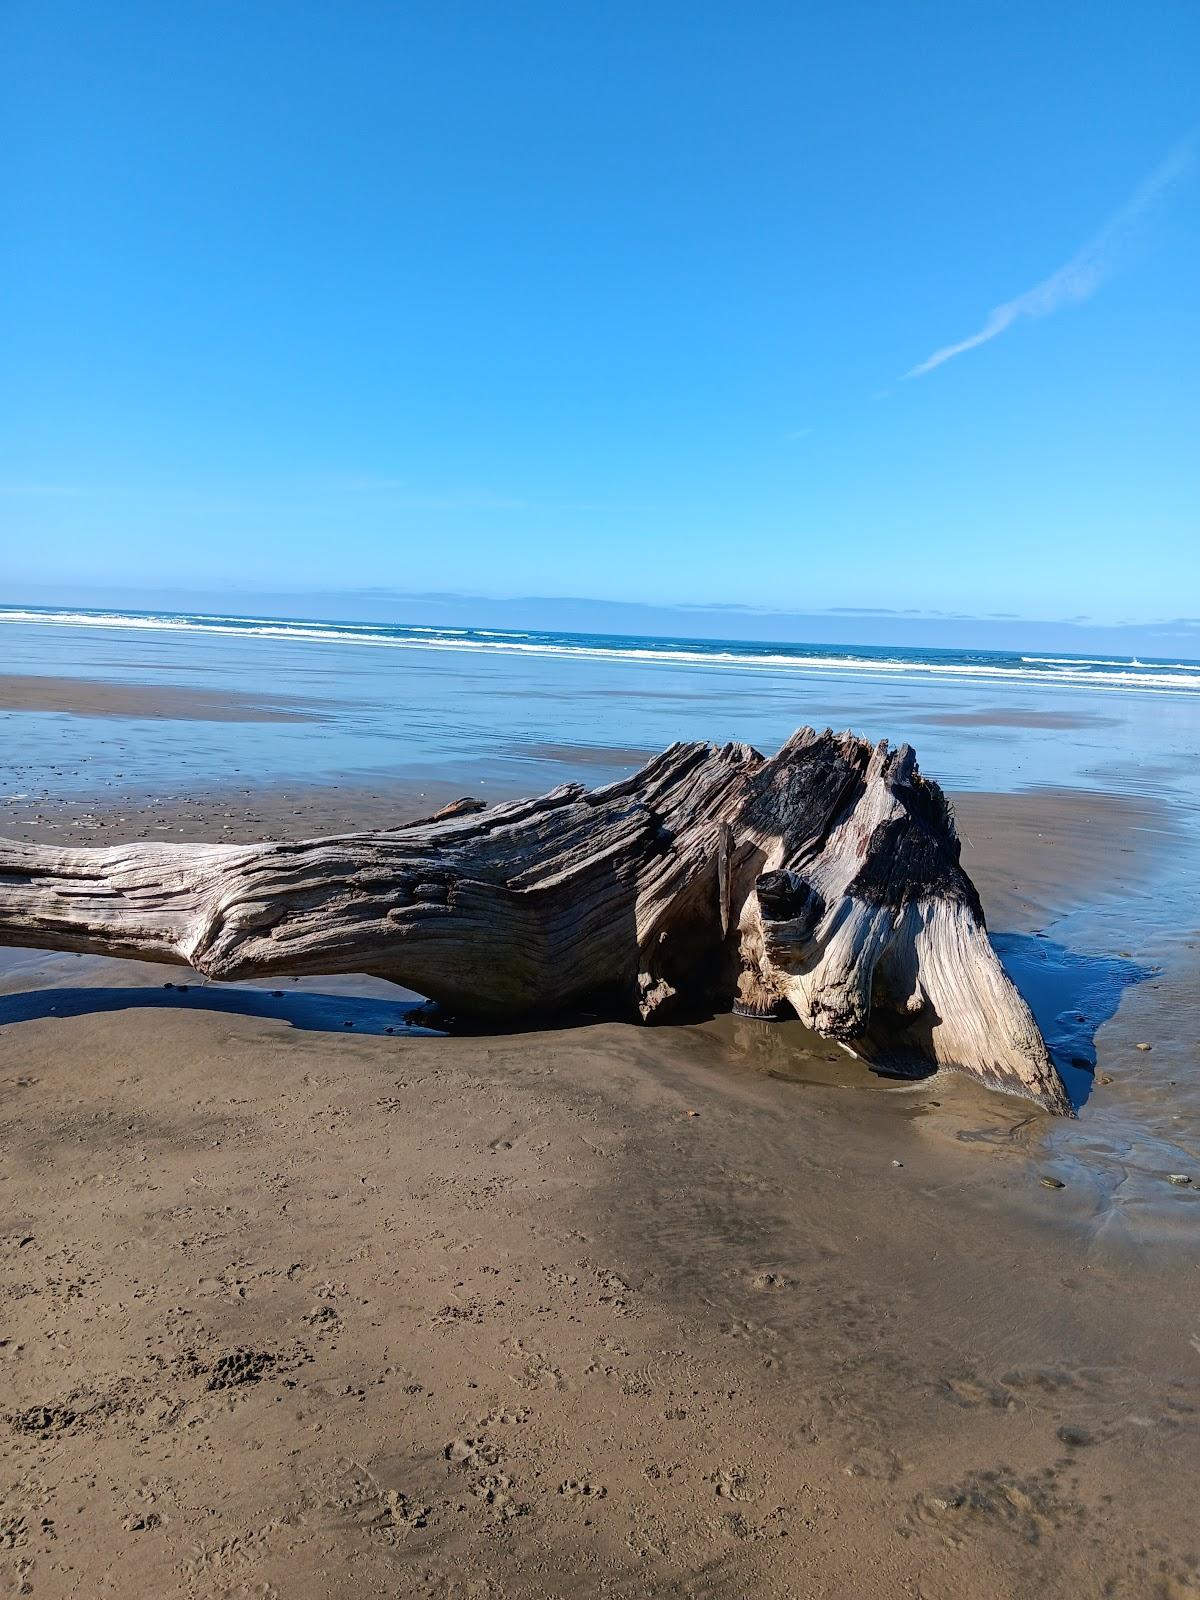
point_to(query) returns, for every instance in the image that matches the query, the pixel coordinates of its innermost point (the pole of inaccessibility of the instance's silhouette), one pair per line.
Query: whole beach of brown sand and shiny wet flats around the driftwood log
(303, 1300)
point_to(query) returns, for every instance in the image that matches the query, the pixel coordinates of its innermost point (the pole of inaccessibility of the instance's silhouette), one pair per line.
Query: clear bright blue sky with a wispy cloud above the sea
(788, 306)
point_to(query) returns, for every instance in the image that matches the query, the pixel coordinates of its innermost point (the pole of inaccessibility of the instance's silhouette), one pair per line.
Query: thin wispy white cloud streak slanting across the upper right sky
(1087, 270)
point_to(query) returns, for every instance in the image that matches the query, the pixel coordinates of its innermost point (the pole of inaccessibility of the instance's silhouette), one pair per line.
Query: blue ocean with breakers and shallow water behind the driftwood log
(502, 711)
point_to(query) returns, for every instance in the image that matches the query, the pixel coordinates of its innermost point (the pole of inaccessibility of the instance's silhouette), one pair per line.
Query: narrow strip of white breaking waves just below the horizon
(1066, 671)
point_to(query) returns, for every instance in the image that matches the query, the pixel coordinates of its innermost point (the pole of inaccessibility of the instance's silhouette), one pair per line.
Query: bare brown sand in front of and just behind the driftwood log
(292, 1310)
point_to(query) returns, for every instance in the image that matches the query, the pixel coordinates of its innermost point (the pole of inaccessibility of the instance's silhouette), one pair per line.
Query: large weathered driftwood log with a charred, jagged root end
(825, 881)
